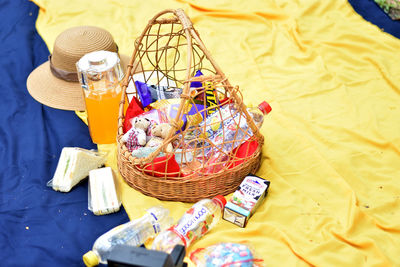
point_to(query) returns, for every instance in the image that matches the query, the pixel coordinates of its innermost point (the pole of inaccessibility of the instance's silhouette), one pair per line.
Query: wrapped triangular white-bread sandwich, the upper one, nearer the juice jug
(73, 166)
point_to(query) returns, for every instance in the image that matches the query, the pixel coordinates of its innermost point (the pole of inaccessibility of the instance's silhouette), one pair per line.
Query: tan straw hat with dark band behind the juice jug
(55, 83)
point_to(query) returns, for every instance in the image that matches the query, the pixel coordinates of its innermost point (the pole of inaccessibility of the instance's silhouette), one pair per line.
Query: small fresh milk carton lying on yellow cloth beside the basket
(246, 200)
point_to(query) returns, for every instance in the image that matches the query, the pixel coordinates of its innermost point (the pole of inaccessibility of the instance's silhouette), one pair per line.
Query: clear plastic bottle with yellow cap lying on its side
(133, 233)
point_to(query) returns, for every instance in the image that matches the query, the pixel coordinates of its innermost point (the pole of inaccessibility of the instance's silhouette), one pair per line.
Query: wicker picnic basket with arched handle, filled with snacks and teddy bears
(184, 133)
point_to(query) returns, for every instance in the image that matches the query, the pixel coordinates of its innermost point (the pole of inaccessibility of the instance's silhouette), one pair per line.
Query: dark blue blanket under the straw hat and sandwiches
(39, 227)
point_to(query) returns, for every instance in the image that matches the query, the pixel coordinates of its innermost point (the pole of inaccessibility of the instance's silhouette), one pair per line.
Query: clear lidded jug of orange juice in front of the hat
(100, 74)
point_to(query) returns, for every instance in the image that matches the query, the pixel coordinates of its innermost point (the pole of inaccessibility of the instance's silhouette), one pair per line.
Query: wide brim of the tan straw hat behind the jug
(51, 91)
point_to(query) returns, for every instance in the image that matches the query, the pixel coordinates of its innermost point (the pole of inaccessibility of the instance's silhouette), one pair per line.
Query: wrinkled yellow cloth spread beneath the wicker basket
(332, 150)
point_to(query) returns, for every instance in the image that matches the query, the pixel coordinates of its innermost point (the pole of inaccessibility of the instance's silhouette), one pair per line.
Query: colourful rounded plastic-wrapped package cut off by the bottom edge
(226, 255)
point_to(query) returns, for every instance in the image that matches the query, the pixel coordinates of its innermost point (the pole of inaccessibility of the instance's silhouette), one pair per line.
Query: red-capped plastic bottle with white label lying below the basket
(195, 223)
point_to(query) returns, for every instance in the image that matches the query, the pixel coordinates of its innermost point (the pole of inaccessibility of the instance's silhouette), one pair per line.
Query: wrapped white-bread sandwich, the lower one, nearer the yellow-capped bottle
(102, 193)
